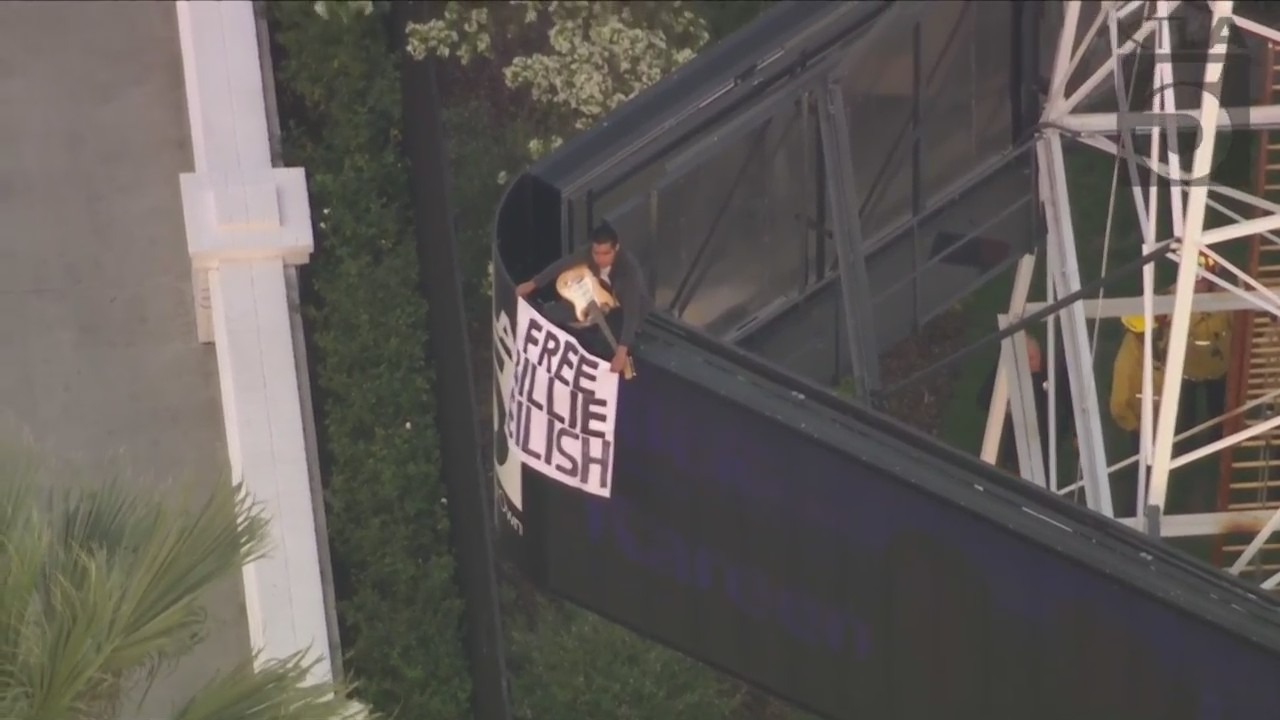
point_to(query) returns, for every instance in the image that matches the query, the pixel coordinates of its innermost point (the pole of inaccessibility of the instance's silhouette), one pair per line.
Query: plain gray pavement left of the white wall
(97, 318)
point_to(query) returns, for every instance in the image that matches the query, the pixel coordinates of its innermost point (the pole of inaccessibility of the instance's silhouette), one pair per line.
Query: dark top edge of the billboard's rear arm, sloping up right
(694, 83)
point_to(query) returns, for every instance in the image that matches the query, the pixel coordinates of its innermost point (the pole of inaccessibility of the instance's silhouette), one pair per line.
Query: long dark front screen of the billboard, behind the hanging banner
(858, 576)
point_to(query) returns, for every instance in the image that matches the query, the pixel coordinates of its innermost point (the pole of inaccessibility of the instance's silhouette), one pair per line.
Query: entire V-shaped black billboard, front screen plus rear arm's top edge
(813, 553)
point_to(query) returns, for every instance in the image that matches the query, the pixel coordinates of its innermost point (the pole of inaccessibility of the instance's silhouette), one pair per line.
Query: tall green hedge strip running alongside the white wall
(400, 610)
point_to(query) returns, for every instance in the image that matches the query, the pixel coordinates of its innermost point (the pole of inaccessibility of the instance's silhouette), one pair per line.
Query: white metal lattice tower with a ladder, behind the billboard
(1096, 44)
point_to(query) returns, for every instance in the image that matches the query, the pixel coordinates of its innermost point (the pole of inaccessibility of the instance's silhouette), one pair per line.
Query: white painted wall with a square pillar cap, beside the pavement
(246, 224)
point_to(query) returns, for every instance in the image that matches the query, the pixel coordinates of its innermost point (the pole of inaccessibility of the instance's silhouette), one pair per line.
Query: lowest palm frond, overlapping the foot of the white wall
(278, 691)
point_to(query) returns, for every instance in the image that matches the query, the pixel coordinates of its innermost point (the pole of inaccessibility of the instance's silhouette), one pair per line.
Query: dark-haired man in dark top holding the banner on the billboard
(619, 275)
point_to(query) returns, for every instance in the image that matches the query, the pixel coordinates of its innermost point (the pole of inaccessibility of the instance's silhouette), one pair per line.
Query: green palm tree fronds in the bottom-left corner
(102, 590)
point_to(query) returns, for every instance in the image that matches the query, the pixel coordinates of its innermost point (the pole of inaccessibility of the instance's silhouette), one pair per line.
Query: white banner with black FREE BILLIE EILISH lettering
(563, 405)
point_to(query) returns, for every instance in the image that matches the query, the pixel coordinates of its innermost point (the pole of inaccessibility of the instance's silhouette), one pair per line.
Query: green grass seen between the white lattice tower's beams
(1090, 176)
